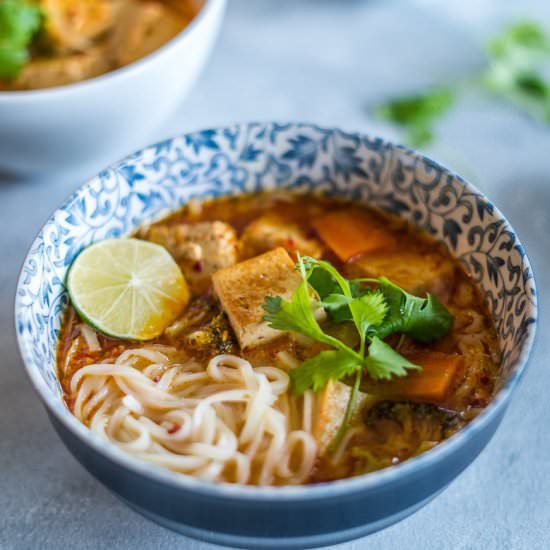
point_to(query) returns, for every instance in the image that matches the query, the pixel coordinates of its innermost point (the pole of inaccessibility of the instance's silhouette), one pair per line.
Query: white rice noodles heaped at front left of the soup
(229, 422)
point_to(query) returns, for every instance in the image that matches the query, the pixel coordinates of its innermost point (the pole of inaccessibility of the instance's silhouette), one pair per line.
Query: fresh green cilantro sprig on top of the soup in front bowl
(375, 312)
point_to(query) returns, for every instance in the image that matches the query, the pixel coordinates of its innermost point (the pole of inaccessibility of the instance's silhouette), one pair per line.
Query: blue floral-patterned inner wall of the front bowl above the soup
(256, 157)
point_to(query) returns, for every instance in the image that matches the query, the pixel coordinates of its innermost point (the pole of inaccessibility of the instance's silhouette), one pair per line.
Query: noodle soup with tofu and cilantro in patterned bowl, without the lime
(393, 353)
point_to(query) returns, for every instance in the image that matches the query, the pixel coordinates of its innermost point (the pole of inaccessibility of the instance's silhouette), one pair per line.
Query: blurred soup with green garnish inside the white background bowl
(68, 41)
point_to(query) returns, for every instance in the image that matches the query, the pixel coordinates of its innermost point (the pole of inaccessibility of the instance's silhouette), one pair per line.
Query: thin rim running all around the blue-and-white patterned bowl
(324, 490)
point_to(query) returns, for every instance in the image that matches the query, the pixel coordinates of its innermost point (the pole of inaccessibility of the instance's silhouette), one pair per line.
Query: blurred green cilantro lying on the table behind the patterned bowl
(517, 60)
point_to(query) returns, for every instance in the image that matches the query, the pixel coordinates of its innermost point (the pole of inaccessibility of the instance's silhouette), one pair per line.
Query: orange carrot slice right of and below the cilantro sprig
(432, 384)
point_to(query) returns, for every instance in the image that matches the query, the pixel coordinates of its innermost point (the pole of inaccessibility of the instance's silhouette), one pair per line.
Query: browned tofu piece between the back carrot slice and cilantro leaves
(415, 272)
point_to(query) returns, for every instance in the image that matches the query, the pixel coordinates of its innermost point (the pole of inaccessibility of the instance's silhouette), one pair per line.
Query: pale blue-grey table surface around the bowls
(323, 61)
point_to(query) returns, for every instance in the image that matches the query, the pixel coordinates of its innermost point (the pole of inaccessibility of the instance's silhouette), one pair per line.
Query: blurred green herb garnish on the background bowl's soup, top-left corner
(19, 22)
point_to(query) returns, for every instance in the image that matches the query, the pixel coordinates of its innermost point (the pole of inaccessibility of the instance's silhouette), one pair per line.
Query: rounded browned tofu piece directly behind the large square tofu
(271, 231)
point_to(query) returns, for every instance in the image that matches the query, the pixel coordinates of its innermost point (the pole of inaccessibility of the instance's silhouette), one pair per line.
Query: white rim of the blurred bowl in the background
(120, 73)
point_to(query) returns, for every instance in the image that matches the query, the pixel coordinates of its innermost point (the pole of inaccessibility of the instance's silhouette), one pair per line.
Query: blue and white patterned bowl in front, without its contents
(253, 157)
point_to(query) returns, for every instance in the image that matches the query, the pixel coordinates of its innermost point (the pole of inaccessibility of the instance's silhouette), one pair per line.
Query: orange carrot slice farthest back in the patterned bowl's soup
(352, 232)
